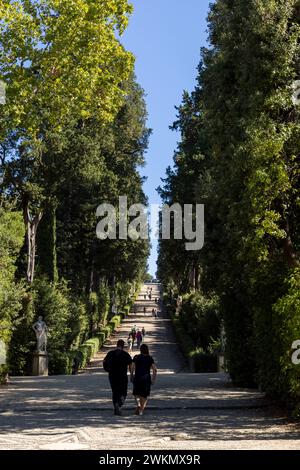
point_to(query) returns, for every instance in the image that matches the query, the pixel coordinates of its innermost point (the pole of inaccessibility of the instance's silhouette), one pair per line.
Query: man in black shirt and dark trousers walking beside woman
(116, 363)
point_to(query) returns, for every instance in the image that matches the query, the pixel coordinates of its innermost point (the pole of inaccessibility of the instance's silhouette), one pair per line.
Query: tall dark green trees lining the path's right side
(240, 156)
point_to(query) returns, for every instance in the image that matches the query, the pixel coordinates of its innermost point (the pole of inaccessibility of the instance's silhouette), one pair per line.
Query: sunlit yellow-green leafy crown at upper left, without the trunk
(60, 58)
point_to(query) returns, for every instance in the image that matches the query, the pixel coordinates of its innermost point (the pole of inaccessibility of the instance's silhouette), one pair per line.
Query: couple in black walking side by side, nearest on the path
(117, 363)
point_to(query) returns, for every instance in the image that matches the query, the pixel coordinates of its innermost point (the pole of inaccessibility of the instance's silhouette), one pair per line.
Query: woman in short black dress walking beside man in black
(141, 377)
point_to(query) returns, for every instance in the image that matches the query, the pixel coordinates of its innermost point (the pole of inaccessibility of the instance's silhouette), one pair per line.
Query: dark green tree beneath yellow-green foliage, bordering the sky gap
(101, 166)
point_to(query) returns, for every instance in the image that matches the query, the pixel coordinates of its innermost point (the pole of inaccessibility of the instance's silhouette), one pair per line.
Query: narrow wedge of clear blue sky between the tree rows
(166, 37)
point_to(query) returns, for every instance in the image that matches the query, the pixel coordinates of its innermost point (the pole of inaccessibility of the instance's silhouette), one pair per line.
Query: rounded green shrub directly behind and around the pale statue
(65, 316)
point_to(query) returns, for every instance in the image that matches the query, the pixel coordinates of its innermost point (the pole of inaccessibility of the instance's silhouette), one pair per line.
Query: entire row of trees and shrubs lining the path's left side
(72, 136)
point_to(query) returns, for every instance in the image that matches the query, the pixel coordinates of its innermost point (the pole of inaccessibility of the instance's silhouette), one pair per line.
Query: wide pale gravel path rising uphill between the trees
(186, 411)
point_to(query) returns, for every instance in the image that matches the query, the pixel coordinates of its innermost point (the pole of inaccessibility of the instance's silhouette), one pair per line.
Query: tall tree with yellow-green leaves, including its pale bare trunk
(59, 59)
